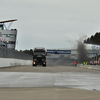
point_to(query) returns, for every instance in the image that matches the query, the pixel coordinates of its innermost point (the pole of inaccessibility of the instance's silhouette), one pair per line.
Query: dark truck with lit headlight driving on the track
(39, 56)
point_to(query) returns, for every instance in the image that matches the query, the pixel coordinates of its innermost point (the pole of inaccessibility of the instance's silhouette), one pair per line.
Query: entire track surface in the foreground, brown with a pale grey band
(51, 82)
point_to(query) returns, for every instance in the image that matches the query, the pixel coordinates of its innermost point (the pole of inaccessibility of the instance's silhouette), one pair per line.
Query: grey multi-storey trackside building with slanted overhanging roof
(7, 37)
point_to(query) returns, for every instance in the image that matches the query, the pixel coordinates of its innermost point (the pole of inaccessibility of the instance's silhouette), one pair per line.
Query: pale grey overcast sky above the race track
(51, 23)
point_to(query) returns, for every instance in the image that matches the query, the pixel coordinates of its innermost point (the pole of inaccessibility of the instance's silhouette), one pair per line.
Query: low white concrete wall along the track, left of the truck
(8, 62)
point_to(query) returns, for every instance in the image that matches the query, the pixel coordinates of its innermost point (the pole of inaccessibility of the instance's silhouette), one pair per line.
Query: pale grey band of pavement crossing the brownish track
(88, 81)
